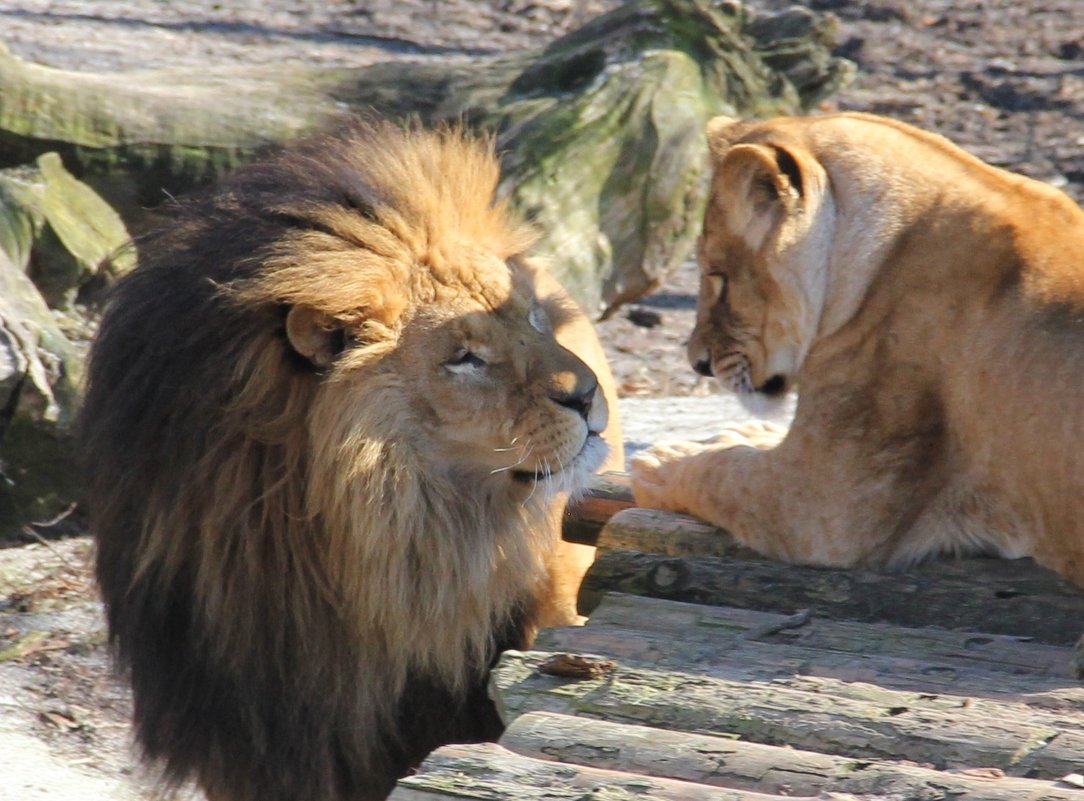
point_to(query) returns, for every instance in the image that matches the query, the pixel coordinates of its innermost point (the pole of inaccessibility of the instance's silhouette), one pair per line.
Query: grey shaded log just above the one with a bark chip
(750, 647)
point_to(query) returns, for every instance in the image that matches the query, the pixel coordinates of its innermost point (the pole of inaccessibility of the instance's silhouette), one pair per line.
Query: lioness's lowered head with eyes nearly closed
(764, 257)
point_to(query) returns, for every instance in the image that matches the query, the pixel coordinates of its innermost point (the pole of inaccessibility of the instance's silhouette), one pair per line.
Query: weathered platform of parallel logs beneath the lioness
(783, 682)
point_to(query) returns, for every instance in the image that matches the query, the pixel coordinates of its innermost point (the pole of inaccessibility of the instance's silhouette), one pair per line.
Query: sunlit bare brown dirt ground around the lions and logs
(1004, 79)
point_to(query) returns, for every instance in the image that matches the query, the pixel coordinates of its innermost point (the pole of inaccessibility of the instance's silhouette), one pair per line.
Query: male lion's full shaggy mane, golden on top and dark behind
(303, 609)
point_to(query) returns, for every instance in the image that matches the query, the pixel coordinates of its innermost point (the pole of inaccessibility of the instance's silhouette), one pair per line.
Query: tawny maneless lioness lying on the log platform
(932, 311)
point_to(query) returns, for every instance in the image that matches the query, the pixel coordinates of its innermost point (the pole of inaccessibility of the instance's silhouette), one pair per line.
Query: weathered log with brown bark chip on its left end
(818, 715)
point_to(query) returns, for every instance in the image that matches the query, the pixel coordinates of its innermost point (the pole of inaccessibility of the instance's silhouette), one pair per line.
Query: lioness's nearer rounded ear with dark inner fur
(763, 185)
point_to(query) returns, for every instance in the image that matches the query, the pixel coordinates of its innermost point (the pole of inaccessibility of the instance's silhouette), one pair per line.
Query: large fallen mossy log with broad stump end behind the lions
(602, 131)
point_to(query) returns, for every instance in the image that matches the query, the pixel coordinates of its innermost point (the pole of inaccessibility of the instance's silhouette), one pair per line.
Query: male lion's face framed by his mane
(475, 377)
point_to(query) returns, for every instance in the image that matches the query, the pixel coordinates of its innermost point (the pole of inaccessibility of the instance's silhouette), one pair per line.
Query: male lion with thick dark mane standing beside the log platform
(331, 425)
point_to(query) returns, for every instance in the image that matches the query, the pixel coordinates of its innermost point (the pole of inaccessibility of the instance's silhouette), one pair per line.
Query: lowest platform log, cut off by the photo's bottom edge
(491, 773)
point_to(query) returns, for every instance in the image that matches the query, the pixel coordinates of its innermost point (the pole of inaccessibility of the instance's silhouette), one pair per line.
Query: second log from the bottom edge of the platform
(737, 765)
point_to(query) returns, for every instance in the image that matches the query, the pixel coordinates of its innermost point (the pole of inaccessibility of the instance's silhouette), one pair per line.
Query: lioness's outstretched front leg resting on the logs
(776, 500)
